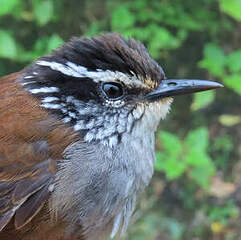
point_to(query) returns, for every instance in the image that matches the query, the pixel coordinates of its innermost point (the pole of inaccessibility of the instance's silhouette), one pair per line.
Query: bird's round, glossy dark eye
(112, 90)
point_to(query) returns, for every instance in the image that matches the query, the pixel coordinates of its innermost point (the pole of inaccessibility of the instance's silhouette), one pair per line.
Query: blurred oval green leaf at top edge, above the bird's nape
(43, 11)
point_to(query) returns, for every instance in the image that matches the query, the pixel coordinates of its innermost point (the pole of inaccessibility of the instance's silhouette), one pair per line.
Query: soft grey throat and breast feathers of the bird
(97, 185)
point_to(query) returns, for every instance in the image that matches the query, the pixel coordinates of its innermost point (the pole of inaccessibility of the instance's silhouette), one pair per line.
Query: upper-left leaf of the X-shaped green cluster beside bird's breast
(170, 142)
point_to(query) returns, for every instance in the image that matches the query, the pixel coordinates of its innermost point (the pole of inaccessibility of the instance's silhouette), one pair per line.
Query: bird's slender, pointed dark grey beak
(172, 87)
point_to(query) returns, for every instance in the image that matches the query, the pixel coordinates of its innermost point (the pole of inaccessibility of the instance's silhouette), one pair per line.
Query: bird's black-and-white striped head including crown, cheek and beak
(105, 86)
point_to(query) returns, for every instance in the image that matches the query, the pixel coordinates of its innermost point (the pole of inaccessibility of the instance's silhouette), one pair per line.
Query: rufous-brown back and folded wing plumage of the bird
(28, 153)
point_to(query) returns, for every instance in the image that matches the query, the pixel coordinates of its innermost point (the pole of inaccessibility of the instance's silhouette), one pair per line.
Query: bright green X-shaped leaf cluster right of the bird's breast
(186, 157)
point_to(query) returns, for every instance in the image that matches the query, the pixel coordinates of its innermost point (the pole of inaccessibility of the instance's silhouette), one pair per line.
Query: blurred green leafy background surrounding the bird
(196, 190)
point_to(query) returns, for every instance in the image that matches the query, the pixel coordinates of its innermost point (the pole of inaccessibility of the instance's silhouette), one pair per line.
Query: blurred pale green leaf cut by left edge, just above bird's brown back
(8, 46)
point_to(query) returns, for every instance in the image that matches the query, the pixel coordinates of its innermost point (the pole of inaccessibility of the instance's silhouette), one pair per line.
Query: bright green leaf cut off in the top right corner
(232, 7)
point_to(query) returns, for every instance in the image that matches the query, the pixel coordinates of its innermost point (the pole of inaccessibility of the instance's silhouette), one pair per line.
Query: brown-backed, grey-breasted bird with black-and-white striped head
(77, 136)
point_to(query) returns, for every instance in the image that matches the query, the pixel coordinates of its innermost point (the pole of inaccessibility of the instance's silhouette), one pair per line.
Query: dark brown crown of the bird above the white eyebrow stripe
(112, 52)
